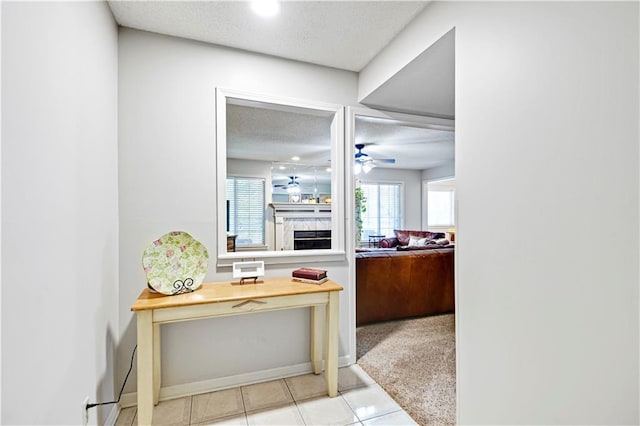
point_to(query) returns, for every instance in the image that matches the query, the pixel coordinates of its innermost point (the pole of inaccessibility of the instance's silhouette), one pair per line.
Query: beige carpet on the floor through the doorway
(415, 362)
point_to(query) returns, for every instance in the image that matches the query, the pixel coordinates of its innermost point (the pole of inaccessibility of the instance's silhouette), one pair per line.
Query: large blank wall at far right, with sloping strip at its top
(546, 144)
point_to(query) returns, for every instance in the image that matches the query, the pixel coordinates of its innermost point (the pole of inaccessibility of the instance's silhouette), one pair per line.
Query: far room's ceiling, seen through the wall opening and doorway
(275, 136)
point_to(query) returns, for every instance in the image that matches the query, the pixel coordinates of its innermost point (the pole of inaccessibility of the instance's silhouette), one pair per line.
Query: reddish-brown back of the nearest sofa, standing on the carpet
(394, 284)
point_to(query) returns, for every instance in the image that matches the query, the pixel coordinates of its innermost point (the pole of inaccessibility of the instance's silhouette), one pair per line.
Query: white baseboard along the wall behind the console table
(194, 388)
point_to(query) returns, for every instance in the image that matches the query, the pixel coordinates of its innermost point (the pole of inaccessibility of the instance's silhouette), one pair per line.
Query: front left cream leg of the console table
(145, 367)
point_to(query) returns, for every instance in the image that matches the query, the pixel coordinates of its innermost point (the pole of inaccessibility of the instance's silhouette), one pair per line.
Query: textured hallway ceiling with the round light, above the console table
(340, 34)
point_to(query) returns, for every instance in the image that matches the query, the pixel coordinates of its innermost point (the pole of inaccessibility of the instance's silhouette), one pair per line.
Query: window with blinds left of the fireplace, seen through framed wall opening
(245, 216)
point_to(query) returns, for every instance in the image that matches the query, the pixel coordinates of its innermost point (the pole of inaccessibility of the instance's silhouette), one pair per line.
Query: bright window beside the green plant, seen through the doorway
(384, 212)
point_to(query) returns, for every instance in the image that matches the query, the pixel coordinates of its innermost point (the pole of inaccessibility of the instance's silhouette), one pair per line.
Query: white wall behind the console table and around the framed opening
(168, 181)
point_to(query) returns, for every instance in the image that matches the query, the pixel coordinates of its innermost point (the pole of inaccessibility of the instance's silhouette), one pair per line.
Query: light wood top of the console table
(231, 291)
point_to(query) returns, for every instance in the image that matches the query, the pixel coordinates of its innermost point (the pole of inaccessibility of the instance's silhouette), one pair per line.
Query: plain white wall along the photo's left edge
(59, 217)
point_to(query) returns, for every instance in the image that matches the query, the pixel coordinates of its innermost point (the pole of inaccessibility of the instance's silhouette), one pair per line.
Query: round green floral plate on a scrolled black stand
(175, 263)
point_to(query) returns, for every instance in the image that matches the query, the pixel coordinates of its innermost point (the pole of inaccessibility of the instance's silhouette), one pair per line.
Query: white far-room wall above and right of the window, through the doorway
(411, 187)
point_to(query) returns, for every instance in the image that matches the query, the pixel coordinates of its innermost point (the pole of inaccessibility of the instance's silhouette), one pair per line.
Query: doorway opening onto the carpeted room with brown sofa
(404, 260)
